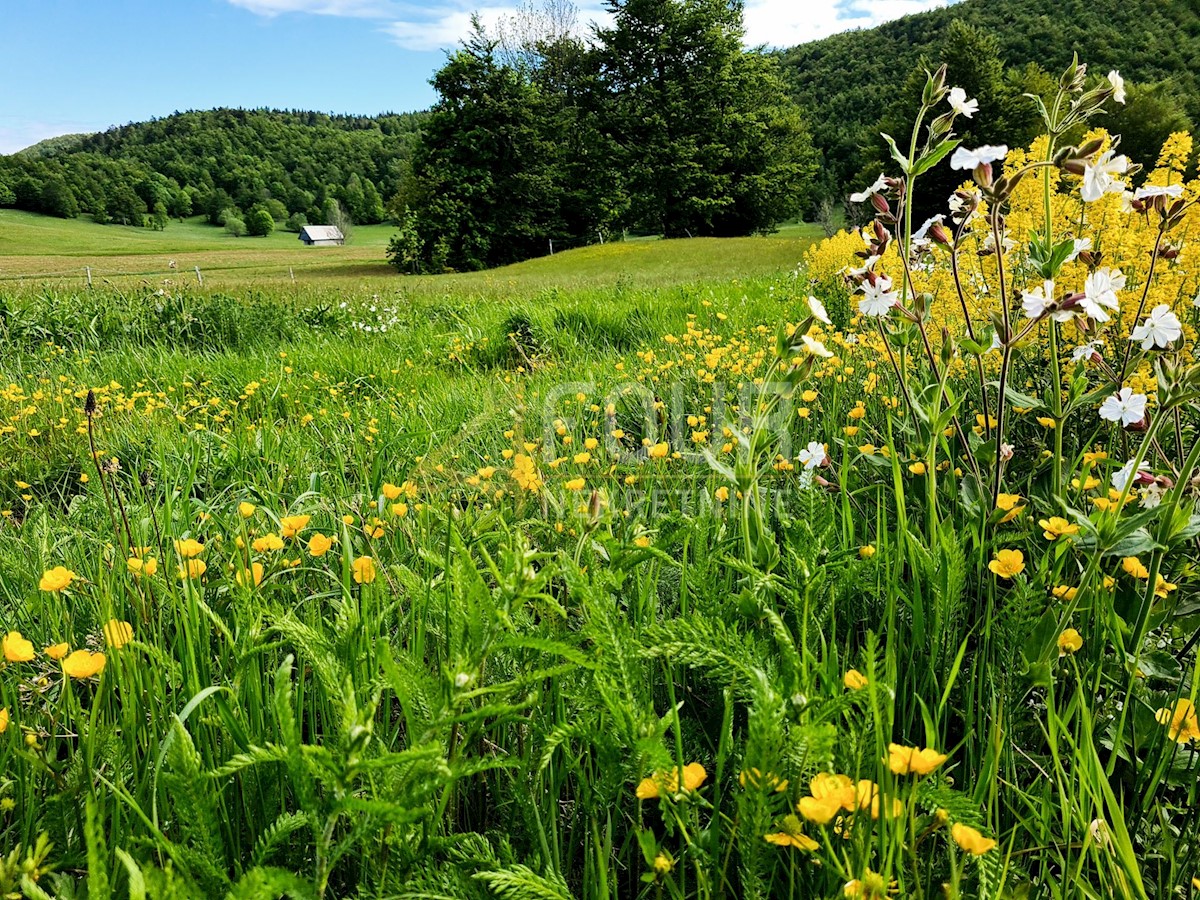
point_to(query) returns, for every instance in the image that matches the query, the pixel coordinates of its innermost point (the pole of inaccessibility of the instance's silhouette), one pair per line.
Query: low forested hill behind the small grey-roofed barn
(218, 163)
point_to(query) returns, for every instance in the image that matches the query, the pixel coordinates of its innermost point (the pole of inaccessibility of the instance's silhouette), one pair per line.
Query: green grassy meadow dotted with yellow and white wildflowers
(659, 569)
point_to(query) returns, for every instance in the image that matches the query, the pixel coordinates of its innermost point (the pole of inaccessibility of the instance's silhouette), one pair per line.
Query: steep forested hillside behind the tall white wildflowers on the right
(848, 82)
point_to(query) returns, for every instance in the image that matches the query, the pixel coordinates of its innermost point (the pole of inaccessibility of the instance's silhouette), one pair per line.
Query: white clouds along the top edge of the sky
(443, 23)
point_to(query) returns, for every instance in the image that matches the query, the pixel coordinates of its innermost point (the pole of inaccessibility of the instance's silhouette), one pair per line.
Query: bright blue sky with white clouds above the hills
(86, 65)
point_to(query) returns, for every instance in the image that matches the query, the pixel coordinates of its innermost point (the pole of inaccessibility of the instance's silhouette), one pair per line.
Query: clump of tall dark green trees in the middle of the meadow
(662, 123)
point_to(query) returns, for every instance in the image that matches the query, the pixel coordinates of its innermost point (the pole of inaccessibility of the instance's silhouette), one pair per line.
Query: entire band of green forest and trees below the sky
(661, 123)
